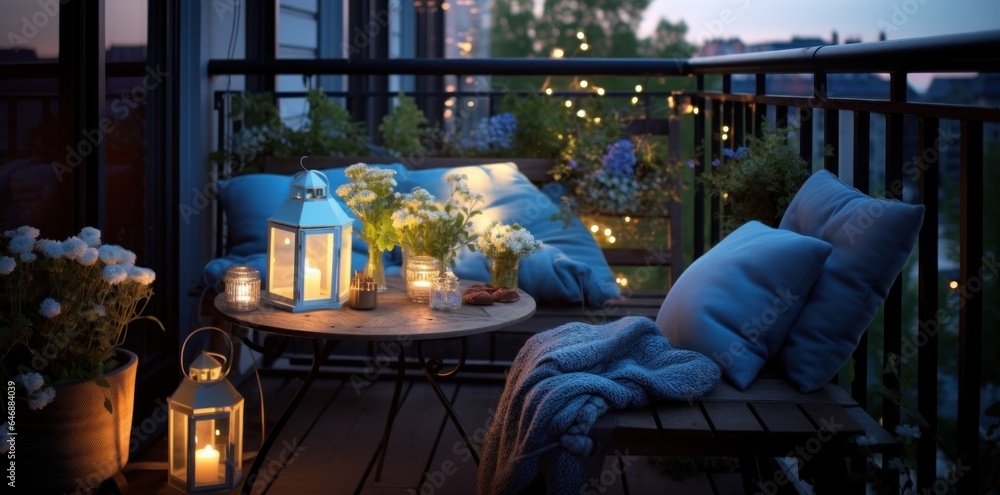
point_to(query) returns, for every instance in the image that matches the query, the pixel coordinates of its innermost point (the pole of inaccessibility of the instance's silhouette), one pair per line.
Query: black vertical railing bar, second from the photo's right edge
(926, 338)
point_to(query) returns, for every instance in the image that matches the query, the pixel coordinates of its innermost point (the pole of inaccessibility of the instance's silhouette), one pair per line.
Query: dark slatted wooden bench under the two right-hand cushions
(768, 420)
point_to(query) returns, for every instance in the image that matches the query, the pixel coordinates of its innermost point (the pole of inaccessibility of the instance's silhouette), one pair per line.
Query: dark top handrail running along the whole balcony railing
(965, 52)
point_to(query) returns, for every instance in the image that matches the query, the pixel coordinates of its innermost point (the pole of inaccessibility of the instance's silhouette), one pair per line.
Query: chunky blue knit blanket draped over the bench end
(562, 380)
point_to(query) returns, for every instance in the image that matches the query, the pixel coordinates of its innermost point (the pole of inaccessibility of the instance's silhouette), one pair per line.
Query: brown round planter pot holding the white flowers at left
(74, 444)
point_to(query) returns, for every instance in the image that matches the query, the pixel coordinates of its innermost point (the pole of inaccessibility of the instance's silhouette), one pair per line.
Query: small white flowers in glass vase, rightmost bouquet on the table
(505, 245)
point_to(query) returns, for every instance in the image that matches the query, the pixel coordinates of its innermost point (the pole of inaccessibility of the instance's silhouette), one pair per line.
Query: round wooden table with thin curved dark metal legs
(395, 319)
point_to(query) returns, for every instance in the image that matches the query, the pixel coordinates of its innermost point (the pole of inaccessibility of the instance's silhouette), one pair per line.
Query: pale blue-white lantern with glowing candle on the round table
(309, 248)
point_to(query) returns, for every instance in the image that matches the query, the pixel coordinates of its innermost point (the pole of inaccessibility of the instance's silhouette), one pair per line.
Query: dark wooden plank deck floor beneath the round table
(330, 446)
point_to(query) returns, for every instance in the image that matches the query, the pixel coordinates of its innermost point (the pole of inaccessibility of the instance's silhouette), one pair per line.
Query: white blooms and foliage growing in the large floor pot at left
(66, 306)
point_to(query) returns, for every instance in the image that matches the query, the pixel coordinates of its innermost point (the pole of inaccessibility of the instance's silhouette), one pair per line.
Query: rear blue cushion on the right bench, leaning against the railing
(871, 238)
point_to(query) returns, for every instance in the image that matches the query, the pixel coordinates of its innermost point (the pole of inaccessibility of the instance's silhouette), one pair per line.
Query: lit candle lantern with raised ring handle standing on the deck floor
(205, 427)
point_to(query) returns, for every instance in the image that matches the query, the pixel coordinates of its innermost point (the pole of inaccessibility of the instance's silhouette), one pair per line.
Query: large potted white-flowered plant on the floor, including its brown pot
(66, 306)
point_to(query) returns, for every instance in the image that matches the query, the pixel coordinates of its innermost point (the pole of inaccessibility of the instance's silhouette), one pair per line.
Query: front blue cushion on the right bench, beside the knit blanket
(737, 302)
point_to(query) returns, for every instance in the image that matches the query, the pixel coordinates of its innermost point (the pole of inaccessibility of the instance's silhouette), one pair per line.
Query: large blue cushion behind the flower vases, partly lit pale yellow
(571, 267)
